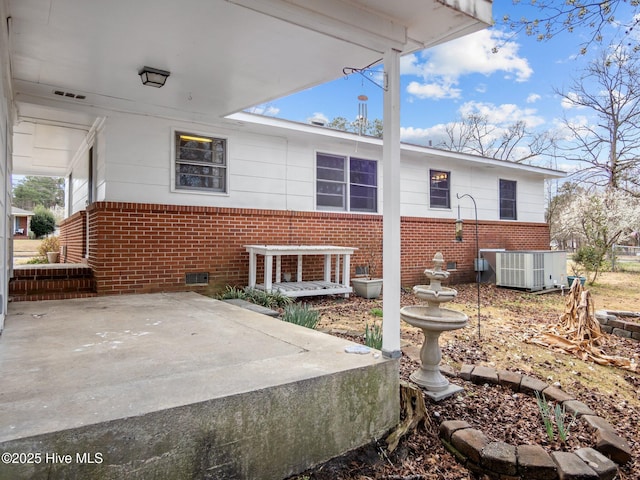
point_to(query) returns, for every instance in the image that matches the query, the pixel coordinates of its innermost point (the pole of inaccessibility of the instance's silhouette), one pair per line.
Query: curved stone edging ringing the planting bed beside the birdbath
(479, 453)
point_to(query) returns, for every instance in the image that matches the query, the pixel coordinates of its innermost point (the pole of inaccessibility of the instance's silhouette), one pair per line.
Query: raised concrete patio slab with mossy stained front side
(178, 385)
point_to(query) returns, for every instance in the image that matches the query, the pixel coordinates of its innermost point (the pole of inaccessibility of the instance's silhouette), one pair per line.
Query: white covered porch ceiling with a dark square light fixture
(73, 61)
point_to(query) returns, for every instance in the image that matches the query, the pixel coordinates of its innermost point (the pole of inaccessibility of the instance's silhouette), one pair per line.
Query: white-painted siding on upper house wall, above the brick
(272, 166)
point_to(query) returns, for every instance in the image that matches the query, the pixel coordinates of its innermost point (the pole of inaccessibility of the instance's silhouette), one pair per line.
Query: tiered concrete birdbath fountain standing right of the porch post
(433, 320)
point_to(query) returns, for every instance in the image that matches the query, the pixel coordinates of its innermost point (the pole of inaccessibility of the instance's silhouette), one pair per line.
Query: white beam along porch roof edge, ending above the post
(336, 19)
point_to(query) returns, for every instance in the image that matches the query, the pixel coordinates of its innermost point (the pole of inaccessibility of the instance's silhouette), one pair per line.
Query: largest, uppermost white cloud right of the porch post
(486, 52)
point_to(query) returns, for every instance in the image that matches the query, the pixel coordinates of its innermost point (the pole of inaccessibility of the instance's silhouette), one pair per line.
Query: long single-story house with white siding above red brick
(190, 196)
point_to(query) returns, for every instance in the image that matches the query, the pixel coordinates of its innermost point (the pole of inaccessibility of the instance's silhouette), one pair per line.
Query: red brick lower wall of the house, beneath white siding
(148, 248)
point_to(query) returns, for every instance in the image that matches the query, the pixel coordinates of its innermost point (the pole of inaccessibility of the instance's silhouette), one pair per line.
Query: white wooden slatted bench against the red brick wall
(337, 261)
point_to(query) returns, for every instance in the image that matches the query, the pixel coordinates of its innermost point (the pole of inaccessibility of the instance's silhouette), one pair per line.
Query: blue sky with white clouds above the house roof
(441, 84)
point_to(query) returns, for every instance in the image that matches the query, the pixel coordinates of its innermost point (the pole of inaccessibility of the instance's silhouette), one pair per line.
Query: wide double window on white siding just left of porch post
(346, 183)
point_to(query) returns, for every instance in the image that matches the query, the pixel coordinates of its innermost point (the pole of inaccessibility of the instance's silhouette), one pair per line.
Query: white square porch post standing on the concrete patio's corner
(391, 206)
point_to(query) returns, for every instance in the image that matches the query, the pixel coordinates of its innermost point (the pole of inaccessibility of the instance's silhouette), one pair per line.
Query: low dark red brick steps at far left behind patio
(51, 282)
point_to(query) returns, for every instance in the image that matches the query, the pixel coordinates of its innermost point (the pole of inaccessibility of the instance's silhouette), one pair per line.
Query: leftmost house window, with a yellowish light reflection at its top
(200, 163)
